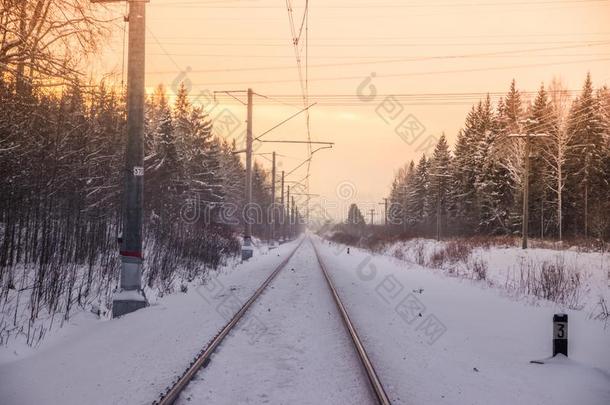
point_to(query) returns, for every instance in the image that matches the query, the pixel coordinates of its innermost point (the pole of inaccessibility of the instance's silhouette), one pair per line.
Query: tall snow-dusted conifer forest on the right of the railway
(477, 188)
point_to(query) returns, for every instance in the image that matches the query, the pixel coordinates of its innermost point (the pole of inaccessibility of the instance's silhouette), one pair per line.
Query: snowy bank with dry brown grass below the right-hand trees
(581, 278)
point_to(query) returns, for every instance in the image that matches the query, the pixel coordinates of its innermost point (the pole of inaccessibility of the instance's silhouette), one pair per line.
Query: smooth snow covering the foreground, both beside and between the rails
(433, 339)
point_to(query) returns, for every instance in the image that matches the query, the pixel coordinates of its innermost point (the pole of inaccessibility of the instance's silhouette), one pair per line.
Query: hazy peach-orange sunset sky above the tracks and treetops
(446, 54)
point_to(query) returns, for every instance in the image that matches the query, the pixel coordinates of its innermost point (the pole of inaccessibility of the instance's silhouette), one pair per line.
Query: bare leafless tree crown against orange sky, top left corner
(48, 38)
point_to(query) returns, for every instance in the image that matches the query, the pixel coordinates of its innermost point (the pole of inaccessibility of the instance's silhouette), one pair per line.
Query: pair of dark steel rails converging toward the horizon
(202, 359)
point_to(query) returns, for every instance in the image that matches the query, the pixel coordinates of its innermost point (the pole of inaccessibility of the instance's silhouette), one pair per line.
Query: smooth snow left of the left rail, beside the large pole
(132, 359)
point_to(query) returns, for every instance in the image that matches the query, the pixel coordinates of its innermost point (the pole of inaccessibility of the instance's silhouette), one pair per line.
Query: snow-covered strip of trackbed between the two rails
(303, 356)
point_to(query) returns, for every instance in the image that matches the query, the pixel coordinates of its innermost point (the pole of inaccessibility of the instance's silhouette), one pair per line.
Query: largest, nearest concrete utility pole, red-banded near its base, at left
(130, 297)
